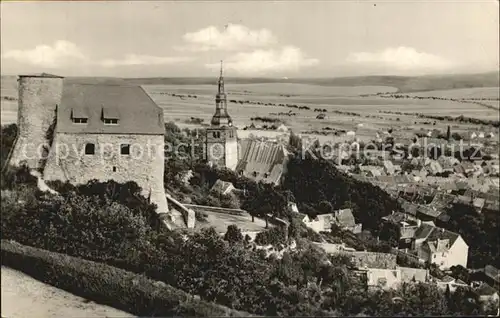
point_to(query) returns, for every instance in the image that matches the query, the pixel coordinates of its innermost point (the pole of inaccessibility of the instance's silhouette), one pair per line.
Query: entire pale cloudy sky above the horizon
(275, 39)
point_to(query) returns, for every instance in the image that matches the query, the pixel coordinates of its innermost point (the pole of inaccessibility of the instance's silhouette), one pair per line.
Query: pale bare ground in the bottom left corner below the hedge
(23, 296)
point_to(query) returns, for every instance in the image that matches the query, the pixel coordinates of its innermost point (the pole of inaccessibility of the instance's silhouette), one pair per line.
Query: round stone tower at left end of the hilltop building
(39, 95)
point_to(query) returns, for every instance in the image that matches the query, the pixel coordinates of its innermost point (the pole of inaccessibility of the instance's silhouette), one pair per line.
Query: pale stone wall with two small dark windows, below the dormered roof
(144, 165)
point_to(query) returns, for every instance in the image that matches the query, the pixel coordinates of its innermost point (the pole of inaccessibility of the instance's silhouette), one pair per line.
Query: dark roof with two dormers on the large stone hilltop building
(135, 111)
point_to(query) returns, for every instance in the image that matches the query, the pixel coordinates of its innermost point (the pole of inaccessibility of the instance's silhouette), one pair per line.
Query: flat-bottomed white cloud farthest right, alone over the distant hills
(401, 59)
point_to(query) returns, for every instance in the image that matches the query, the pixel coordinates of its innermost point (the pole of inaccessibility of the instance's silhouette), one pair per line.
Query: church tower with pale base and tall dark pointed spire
(221, 139)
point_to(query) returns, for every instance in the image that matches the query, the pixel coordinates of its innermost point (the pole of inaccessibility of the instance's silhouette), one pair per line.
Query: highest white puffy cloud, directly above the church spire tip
(231, 37)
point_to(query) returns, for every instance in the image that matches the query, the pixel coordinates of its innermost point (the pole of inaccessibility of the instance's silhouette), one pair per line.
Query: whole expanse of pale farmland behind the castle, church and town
(184, 100)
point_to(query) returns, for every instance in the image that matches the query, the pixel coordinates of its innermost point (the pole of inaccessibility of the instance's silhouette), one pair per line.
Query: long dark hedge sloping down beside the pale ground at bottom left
(107, 285)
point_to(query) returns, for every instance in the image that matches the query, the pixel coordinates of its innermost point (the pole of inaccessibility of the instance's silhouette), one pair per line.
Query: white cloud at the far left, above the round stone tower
(62, 52)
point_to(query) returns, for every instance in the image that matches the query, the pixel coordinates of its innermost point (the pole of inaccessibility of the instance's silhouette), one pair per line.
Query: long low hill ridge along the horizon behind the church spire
(404, 84)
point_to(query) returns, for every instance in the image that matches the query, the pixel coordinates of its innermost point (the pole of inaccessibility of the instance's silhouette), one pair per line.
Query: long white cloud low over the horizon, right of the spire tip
(286, 59)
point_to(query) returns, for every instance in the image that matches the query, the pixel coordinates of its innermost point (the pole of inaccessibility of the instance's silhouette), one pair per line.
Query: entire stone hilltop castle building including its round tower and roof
(77, 132)
